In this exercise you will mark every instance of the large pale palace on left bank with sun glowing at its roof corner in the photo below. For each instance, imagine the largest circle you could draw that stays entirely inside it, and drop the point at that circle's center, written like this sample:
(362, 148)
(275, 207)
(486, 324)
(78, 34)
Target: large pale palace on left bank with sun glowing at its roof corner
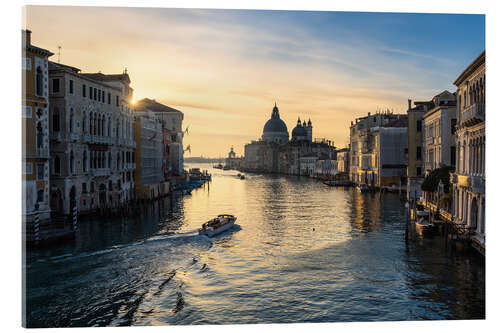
(91, 138)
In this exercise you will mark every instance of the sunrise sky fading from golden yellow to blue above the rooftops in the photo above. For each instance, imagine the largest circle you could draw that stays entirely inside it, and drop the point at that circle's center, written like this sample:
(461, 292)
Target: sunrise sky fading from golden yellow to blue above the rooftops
(225, 69)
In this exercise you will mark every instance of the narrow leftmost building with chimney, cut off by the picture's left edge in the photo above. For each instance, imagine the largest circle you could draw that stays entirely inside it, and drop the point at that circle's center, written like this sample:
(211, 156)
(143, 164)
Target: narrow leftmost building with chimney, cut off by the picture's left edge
(35, 130)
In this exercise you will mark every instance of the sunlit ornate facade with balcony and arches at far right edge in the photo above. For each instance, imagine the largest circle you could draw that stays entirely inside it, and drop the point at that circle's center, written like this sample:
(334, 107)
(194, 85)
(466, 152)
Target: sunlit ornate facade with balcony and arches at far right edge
(470, 174)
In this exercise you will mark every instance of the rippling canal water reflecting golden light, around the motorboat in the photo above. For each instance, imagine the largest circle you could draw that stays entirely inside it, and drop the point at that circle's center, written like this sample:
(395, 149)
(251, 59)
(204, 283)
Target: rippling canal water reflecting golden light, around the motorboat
(301, 252)
